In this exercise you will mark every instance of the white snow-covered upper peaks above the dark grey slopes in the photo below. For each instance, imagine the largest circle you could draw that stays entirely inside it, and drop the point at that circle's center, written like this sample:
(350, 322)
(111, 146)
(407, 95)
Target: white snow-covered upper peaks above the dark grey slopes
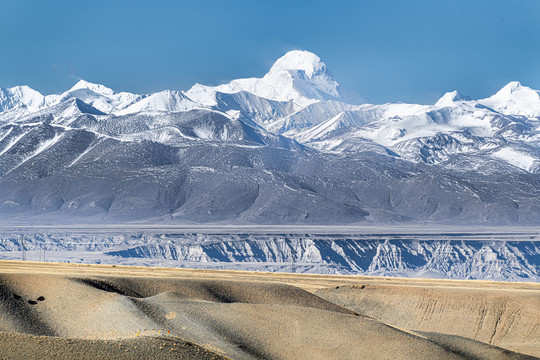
(300, 99)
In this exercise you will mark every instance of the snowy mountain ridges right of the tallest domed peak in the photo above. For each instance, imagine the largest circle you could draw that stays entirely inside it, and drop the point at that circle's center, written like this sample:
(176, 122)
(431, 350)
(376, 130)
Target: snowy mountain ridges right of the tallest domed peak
(454, 125)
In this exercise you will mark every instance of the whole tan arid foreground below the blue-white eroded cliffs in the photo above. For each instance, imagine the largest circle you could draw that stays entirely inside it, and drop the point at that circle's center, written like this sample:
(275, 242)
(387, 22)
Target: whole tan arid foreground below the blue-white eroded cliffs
(65, 311)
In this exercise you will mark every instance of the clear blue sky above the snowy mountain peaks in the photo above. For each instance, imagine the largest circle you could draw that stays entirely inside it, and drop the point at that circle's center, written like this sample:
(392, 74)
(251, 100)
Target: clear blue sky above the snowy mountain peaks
(398, 50)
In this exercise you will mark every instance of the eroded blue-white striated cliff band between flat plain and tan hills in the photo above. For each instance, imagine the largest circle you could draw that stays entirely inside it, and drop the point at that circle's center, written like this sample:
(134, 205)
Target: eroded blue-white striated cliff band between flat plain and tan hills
(509, 257)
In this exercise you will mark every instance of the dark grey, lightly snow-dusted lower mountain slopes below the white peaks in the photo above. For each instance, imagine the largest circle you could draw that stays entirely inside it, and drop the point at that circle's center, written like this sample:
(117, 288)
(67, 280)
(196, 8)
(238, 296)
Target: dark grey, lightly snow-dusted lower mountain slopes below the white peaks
(225, 170)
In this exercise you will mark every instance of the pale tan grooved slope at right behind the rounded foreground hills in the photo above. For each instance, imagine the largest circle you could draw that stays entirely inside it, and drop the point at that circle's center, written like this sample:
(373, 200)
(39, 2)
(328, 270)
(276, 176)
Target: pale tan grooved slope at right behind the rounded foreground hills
(487, 315)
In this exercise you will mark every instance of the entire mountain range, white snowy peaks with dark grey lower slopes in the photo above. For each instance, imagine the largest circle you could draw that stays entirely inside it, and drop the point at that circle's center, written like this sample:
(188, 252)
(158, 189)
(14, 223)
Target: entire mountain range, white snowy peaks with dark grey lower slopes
(290, 147)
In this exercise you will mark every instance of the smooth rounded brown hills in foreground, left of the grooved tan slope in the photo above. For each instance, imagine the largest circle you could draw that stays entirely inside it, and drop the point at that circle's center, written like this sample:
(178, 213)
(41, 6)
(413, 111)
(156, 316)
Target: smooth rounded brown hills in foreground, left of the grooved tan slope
(238, 319)
